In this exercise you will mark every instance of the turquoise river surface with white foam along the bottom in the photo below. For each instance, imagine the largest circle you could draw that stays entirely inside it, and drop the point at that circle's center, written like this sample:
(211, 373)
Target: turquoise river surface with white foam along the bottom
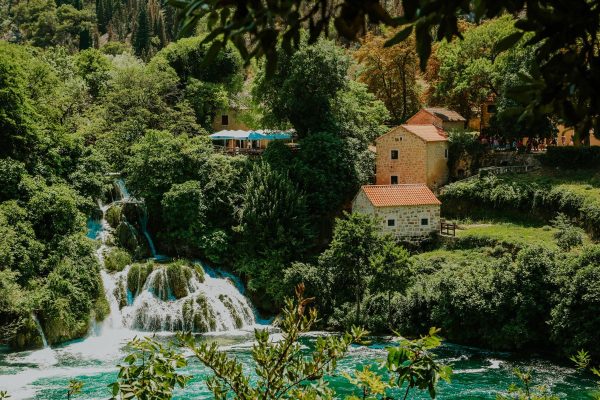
(478, 374)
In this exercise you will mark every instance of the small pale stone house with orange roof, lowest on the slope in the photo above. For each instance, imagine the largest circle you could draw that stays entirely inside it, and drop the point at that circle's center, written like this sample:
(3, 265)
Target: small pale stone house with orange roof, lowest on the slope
(409, 212)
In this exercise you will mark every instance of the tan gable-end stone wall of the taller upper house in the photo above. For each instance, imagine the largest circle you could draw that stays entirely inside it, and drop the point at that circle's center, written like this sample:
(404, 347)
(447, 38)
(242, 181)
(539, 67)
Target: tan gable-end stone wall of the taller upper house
(411, 165)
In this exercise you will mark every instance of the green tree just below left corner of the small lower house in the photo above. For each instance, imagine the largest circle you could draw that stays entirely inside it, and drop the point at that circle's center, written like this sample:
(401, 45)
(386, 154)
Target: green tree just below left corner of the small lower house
(348, 257)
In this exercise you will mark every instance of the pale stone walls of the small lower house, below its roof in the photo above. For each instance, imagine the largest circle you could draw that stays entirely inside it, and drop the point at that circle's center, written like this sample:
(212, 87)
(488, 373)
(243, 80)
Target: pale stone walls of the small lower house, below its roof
(407, 219)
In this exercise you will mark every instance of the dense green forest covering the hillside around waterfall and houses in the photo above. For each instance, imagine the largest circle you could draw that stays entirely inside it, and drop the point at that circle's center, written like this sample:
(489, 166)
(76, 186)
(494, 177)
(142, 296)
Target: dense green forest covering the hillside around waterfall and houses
(90, 91)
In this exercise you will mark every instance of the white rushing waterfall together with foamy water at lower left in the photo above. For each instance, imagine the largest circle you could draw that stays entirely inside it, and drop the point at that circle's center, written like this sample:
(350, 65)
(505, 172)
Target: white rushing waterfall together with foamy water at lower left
(212, 301)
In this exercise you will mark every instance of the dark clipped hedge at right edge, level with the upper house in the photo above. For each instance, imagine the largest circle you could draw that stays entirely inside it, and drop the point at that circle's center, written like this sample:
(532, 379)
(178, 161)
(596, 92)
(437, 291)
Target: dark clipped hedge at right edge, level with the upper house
(572, 157)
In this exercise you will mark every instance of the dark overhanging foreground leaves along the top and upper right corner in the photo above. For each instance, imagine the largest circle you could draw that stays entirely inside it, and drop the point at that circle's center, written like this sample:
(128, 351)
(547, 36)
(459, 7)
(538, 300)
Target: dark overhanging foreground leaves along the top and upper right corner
(567, 31)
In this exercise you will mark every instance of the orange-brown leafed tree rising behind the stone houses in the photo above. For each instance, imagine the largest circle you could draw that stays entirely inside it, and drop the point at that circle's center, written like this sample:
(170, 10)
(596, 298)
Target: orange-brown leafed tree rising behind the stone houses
(391, 73)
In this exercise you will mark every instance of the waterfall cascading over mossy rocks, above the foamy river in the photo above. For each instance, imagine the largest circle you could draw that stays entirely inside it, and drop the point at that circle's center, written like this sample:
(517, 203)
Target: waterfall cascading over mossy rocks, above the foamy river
(168, 297)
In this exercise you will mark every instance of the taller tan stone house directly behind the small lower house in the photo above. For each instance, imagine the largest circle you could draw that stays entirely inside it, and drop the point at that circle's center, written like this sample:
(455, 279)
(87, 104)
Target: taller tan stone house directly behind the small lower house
(412, 154)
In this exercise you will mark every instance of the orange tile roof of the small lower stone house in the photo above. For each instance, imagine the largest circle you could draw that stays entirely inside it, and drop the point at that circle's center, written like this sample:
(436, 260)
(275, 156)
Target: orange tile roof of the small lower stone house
(400, 195)
